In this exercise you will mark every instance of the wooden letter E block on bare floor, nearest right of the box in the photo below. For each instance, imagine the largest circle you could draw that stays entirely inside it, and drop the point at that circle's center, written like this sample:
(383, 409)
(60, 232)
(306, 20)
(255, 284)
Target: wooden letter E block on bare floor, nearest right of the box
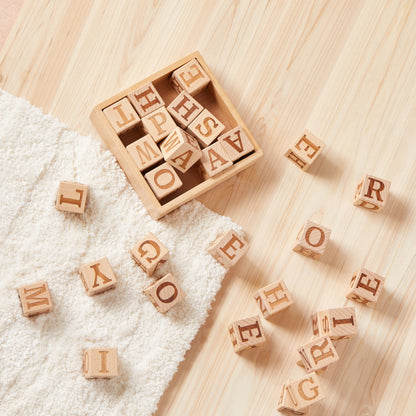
(305, 151)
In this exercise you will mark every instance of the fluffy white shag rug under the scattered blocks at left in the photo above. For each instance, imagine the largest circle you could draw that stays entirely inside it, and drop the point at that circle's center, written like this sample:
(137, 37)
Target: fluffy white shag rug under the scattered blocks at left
(41, 357)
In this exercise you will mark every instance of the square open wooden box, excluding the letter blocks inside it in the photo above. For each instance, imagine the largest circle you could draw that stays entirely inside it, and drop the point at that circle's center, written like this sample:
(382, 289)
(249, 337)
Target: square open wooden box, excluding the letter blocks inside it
(212, 98)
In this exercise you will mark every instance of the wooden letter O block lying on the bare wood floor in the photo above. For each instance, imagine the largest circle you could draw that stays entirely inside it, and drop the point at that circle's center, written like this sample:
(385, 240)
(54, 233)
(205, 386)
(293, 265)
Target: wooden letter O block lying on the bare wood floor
(312, 240)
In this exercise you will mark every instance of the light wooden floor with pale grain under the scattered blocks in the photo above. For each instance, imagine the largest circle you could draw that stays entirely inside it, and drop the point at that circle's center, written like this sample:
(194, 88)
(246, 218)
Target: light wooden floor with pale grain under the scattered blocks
(345, 69)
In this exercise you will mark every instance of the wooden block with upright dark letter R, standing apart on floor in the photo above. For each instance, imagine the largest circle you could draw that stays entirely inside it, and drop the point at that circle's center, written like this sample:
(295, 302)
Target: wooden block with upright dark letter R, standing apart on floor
(372, 193)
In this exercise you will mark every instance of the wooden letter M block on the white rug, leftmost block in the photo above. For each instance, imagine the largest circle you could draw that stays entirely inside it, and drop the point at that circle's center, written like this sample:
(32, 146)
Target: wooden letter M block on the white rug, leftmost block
(35, 298)
